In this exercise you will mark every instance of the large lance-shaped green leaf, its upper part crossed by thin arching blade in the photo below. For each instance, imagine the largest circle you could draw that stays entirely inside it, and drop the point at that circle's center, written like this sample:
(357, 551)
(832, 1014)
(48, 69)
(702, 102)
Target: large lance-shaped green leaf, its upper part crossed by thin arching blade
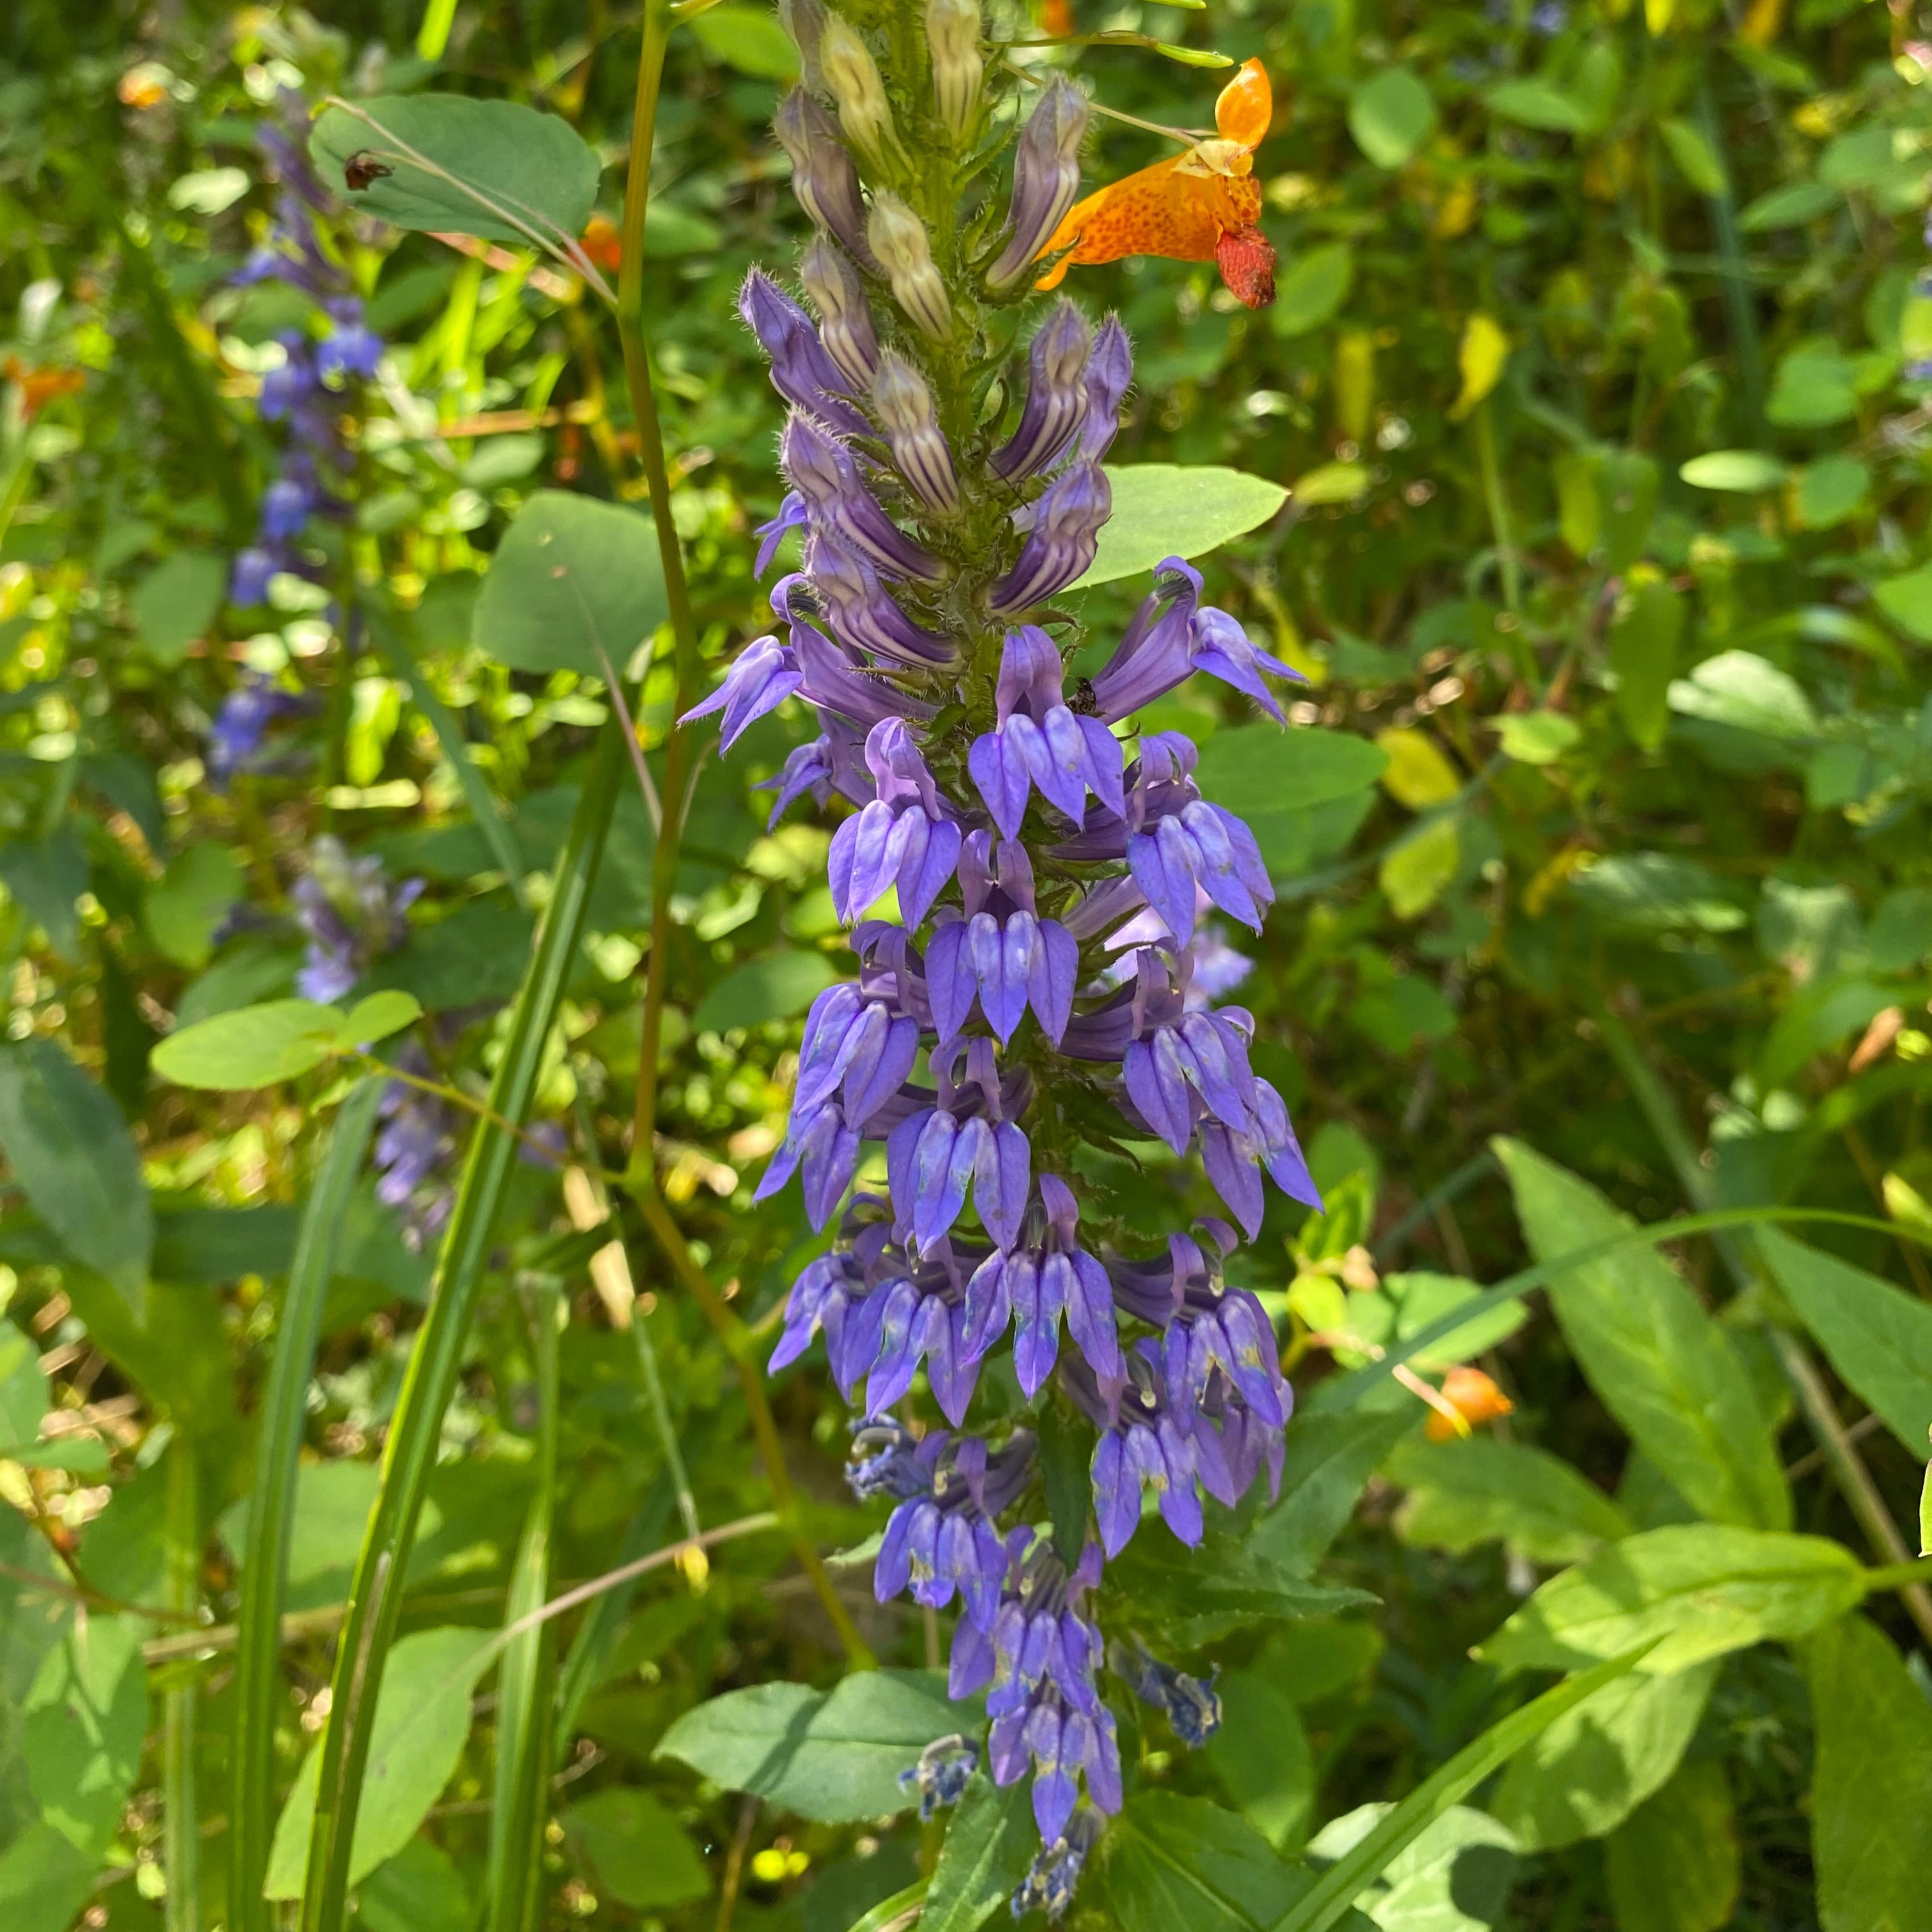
(1662, 1367)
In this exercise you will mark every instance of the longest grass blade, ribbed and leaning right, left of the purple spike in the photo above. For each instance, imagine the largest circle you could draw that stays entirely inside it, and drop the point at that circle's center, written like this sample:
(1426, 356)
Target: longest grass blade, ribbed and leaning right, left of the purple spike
(376, 1597)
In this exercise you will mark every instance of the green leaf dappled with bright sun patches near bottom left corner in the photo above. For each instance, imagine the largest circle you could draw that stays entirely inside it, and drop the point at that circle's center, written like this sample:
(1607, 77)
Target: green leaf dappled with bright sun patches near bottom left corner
(82, 1728)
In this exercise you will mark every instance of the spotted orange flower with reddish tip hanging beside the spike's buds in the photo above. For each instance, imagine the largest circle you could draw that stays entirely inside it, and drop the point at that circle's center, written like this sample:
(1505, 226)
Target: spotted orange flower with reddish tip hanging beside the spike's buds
(1203, 206)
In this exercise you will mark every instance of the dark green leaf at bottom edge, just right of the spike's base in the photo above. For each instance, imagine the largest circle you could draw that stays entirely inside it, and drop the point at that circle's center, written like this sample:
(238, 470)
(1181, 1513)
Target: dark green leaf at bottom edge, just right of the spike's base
(1170, 1861)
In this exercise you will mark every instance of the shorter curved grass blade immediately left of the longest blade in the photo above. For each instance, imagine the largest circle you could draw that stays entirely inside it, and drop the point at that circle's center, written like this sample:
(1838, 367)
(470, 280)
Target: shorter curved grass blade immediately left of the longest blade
(271, 1508)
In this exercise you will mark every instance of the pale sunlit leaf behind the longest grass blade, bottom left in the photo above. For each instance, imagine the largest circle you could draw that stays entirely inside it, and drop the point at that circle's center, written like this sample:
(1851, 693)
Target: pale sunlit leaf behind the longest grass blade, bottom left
(422, 1720)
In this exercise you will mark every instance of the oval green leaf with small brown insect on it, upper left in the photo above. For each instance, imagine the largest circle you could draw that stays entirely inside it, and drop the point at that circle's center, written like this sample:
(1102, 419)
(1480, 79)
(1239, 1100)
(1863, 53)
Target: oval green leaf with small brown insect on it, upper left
(461, 167)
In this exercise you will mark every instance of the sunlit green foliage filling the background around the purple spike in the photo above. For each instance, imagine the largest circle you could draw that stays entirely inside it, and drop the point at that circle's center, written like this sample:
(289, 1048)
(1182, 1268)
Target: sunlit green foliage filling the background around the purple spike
(1601, 845)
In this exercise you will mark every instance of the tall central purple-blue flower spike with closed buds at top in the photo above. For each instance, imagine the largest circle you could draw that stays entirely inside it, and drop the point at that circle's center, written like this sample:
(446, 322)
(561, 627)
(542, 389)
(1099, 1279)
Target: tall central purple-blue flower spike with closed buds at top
(1037, 986)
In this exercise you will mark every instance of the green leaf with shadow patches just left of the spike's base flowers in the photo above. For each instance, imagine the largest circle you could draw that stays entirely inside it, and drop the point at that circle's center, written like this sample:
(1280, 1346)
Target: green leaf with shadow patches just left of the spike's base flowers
(832, 1757)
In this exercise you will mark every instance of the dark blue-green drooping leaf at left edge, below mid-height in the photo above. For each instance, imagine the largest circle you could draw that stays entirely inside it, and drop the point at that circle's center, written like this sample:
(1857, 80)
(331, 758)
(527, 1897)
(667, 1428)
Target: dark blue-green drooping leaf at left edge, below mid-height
(76, 1162)
